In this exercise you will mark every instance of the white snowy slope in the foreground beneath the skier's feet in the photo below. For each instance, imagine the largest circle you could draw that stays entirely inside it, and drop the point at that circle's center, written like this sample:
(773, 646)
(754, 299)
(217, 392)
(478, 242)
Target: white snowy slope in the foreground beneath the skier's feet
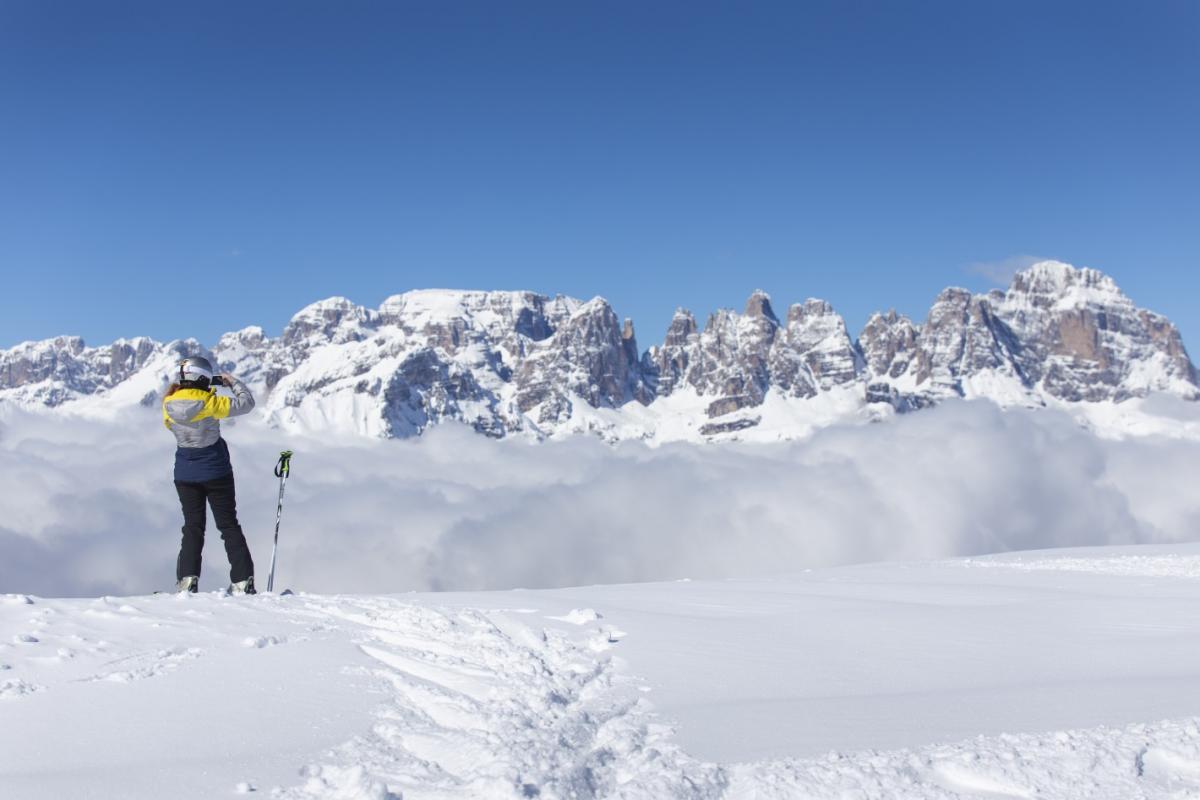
(1043, 675)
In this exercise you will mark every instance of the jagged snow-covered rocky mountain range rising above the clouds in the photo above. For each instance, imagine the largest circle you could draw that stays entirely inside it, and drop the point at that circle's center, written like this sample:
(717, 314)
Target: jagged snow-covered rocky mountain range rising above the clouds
(517, 362)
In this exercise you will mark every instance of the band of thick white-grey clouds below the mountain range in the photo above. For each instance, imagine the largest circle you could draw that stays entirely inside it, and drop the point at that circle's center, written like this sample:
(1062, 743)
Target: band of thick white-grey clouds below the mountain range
(89, 507)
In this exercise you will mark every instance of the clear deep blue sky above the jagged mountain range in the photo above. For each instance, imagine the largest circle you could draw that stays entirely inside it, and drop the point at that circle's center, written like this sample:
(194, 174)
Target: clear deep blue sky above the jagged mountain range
(182, 170)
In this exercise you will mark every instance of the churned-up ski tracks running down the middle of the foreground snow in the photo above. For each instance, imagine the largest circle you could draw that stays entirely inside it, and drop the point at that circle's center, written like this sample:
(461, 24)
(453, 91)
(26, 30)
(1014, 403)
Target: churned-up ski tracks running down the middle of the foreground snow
(483, 707)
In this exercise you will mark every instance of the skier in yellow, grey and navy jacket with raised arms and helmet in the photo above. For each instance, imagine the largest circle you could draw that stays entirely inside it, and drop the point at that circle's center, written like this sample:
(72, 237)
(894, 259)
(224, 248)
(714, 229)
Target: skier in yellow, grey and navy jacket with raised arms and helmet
(191, 411)
